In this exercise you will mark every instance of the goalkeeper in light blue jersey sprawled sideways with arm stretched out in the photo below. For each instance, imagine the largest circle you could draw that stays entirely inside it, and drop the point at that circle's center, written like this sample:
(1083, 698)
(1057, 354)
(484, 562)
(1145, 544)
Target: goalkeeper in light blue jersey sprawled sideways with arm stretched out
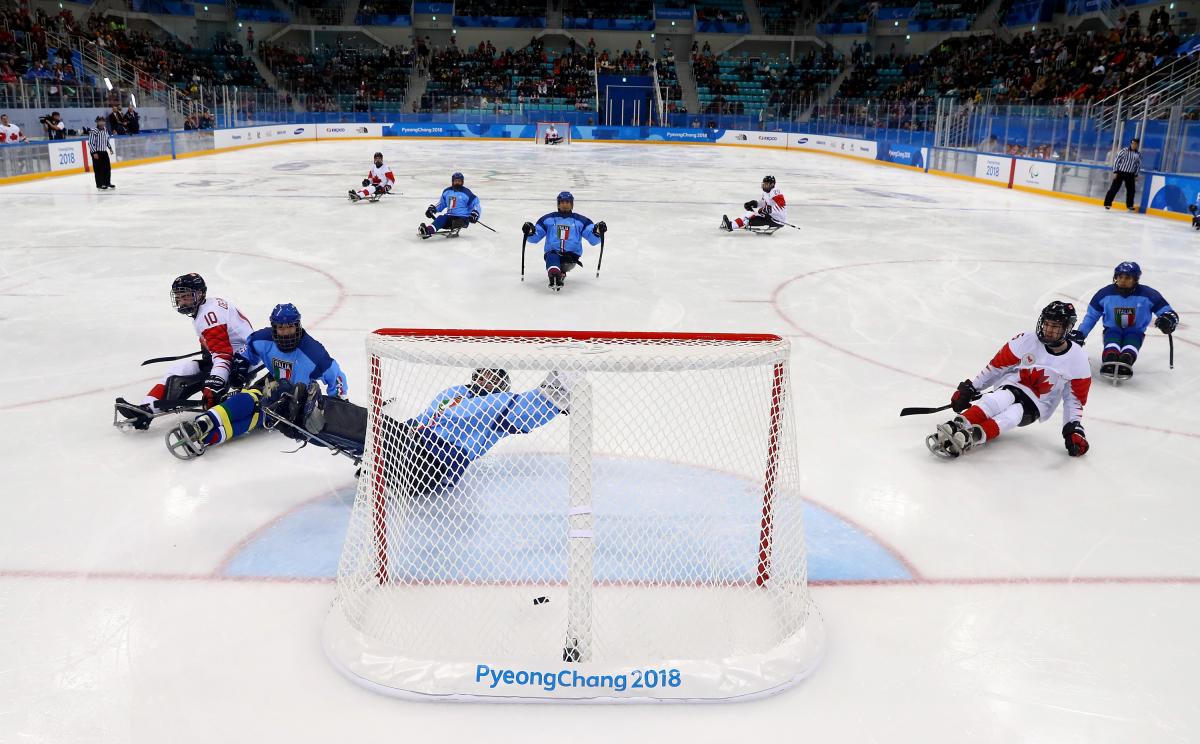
(433, 449)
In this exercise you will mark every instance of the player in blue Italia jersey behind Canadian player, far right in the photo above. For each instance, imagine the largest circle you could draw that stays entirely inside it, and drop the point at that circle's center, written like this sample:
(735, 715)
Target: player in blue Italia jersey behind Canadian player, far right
(1125, 307)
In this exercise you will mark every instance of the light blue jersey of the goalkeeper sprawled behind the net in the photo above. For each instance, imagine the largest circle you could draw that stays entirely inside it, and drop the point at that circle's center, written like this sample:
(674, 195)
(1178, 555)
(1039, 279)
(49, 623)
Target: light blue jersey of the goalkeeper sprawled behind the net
(476, 423)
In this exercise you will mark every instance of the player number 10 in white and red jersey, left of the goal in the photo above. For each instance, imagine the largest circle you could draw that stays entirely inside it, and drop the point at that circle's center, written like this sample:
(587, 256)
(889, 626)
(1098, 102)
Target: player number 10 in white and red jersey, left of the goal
(221, 328)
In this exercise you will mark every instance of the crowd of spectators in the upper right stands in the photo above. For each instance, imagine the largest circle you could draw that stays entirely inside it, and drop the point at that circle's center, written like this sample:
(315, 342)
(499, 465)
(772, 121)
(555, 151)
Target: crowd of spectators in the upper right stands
(1048, 67)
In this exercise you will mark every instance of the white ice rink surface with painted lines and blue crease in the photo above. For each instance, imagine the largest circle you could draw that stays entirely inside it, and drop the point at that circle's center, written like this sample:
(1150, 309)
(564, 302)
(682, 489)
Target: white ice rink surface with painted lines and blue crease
(1042, 598)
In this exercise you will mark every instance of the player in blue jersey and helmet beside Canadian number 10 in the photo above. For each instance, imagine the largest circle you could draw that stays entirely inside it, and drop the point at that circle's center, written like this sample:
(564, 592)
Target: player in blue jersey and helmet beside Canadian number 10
(290, 356)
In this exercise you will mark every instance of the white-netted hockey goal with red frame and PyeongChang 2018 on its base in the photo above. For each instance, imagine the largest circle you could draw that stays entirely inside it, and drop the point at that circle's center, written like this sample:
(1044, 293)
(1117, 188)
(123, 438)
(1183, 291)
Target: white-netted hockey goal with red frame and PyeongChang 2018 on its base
(615, 517)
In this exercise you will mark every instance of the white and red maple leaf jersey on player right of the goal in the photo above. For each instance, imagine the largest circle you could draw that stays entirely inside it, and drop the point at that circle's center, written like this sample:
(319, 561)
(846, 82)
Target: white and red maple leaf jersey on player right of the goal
(1048, 379)
